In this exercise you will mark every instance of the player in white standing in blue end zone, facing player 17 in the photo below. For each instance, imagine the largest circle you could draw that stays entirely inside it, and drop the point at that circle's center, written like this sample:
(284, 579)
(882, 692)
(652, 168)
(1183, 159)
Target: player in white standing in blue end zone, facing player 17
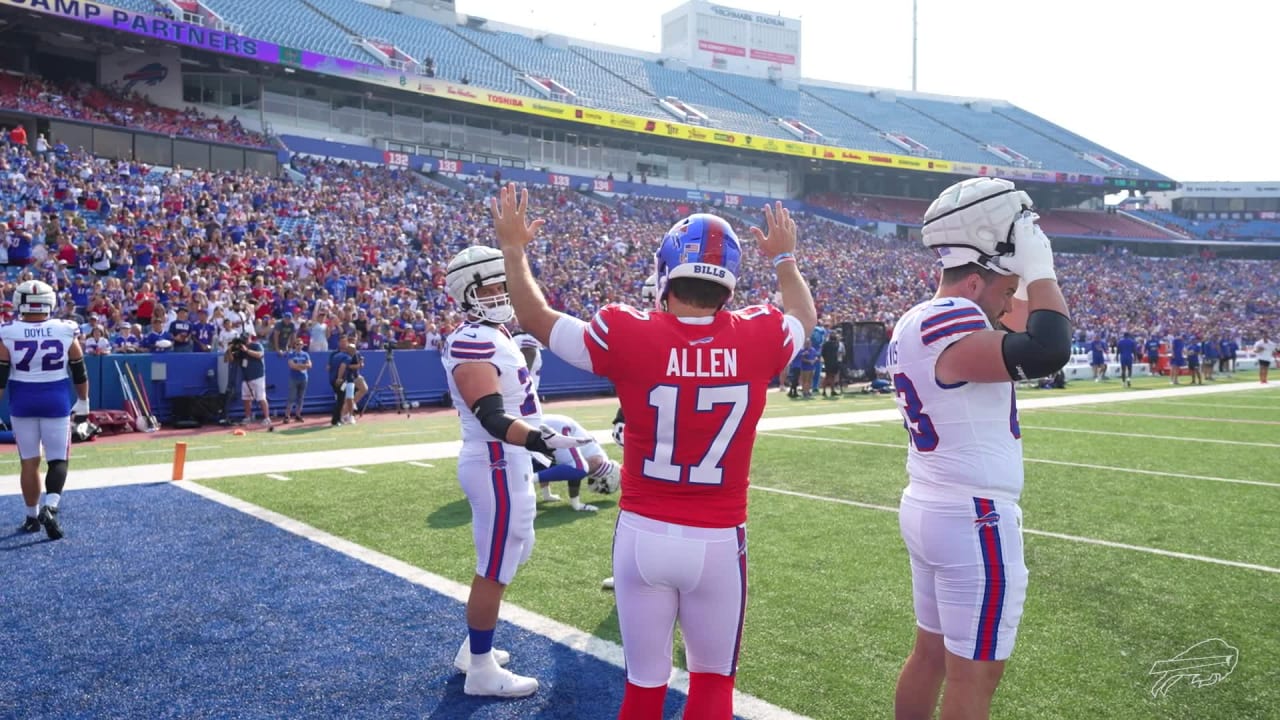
(501, 427)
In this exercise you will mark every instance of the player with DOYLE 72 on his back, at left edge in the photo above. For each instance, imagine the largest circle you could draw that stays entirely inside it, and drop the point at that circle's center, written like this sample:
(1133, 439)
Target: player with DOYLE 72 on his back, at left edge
(36, 356)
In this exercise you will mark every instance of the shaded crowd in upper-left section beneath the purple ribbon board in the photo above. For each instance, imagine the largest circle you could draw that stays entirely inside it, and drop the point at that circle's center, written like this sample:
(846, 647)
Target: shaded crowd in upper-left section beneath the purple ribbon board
(116, 107)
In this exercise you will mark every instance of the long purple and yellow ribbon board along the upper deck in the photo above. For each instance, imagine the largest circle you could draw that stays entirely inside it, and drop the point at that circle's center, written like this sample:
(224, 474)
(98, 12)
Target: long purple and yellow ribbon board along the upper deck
(231, 44)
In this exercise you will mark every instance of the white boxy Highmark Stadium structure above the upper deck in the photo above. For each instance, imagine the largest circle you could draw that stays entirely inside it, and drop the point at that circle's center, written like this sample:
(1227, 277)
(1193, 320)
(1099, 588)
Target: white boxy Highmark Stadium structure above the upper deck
(717, 38)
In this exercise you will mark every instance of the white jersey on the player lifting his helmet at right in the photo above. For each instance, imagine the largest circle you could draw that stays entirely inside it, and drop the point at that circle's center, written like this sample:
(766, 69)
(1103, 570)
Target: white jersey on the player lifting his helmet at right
(966, 441)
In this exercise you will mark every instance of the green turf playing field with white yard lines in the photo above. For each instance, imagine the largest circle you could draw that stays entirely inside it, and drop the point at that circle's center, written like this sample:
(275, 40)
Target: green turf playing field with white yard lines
(830, 617)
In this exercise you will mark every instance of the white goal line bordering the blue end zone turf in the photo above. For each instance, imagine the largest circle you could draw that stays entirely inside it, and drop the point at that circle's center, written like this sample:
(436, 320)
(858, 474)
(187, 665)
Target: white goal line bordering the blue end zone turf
(744, 705)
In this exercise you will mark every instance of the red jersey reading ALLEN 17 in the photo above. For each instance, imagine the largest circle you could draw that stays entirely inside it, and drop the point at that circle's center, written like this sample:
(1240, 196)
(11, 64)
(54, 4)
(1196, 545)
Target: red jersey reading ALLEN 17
(692, 395)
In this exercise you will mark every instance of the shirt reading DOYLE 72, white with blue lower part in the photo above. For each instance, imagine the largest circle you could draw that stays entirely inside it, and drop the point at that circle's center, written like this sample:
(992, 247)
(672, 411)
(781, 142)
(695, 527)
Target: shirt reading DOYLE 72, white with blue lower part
(39, 384)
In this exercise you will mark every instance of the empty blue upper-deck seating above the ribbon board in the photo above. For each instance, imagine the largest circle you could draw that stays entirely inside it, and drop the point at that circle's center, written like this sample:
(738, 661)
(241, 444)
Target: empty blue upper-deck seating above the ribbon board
(630, 84)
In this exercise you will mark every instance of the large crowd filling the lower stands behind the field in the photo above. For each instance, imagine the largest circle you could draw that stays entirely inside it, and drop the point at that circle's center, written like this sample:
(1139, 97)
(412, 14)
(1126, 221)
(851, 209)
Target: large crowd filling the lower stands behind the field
(196, 258)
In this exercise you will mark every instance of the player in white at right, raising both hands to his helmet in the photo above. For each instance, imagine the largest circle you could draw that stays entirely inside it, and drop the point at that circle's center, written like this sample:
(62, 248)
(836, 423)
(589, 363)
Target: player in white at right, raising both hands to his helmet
(953, 366)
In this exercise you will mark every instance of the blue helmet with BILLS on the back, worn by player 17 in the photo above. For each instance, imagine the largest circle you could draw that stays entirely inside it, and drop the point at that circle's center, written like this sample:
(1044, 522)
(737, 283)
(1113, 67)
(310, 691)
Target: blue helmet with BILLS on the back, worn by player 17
(701, 247)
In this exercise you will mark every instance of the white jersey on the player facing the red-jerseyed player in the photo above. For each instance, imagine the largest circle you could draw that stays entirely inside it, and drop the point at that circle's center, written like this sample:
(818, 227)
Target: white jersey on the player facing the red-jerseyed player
(477, 343)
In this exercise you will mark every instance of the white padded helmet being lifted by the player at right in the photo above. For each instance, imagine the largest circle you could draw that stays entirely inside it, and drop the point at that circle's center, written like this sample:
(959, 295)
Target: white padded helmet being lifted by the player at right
(973, 222)
